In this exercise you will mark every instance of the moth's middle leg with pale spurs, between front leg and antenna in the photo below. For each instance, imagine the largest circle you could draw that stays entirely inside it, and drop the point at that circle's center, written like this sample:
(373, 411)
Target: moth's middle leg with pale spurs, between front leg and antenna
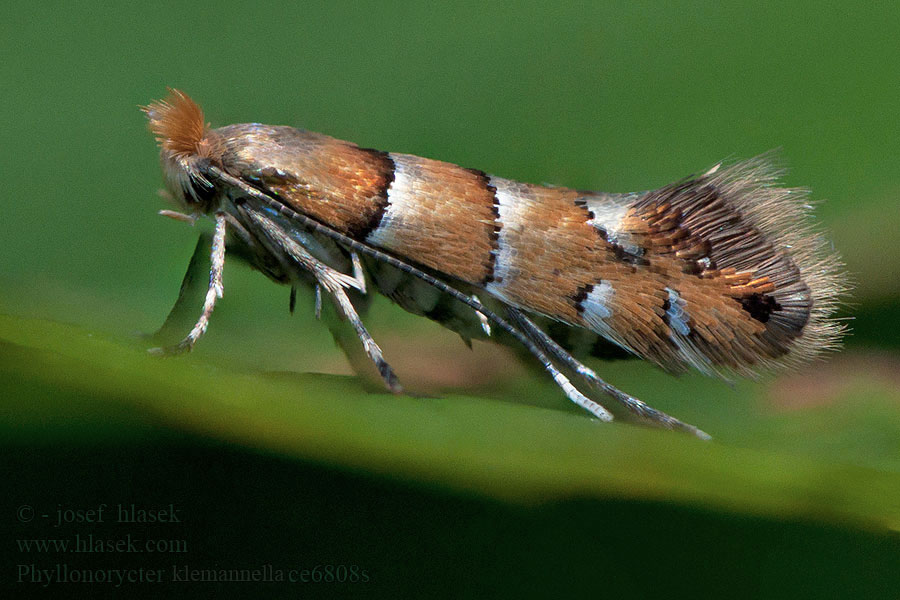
(333, 282)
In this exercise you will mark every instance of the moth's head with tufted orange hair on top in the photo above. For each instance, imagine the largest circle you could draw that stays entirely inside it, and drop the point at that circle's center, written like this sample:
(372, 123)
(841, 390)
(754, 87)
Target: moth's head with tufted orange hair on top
(187, 149)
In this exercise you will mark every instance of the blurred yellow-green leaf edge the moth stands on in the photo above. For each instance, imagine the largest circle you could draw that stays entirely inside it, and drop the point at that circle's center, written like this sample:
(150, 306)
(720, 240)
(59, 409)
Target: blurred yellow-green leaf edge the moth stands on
(779, 465)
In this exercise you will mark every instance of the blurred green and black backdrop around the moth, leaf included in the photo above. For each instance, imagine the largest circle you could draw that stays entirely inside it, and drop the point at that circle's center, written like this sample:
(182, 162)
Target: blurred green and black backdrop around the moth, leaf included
(487, 482)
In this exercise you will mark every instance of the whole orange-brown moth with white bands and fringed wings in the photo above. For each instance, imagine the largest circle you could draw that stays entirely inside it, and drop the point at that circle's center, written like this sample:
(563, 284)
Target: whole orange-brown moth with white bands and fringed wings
(721, 272)
